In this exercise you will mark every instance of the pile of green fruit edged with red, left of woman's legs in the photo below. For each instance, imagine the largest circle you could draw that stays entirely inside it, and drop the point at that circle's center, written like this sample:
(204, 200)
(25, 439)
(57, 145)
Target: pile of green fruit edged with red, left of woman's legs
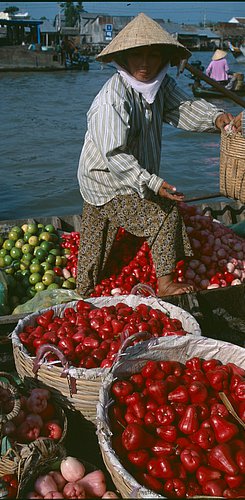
(34, 258)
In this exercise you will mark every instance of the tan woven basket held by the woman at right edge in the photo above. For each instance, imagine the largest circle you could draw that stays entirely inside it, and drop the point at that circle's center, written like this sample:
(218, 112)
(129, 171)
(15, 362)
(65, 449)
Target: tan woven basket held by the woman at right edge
(232, 165)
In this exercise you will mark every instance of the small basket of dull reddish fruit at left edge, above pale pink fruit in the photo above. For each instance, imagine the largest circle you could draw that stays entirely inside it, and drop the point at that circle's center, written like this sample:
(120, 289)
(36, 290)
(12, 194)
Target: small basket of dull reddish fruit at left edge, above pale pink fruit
(28, 420)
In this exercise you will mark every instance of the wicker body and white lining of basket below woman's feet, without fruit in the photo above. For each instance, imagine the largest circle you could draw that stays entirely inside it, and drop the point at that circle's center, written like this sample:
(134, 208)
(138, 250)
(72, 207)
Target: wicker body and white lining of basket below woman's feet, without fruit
(78, 388)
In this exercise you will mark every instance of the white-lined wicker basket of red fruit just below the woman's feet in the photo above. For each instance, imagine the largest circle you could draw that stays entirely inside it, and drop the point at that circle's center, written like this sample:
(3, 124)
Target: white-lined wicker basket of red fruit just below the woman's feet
(69, 348)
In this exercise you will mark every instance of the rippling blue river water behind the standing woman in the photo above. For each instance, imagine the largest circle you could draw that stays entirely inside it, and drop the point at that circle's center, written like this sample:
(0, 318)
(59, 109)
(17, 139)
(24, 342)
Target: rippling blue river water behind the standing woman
(42, 126)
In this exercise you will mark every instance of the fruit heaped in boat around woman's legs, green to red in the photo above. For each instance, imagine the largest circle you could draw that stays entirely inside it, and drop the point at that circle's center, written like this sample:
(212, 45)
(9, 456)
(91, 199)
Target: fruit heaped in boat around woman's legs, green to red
(35, 258)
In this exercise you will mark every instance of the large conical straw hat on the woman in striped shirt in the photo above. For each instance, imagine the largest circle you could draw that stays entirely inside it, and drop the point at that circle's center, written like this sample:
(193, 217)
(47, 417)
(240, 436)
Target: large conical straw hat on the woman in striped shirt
(142, 31)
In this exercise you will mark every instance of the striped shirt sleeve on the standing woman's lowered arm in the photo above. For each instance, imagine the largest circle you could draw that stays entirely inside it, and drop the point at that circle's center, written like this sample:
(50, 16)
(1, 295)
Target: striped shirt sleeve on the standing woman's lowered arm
(110, 129)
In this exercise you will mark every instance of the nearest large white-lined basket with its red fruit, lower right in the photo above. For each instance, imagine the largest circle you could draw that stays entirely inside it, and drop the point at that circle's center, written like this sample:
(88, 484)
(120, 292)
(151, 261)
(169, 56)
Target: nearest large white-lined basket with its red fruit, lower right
(171, 419)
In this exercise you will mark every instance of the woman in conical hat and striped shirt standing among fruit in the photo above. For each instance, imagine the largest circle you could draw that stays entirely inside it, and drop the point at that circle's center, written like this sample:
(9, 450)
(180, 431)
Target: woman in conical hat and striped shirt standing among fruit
(118, 169)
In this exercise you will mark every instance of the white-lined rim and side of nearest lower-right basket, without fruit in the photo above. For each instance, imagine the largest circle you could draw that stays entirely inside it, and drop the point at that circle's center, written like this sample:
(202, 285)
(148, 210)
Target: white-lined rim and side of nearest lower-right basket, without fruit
(167, 348)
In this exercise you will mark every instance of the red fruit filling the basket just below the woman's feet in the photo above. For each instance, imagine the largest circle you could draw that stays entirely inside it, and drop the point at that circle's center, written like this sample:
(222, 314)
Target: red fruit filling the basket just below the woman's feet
(89, 336)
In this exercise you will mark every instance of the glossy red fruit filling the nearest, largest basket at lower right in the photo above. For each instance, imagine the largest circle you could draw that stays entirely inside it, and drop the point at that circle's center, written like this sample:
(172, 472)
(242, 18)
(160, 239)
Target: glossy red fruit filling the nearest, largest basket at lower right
(173, 431)
